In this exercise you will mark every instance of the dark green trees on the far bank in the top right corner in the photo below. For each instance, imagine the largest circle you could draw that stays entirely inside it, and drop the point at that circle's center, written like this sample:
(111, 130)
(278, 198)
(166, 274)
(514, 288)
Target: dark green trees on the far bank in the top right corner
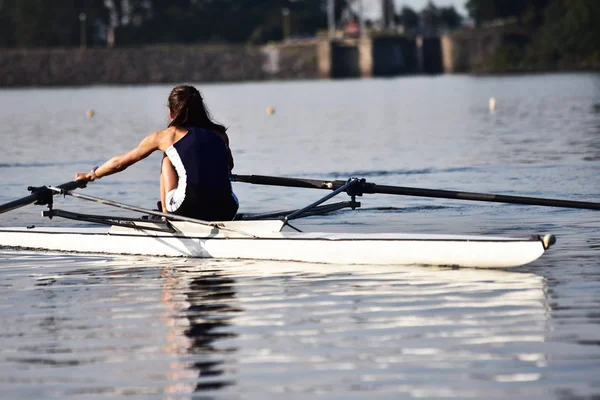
(560, 33)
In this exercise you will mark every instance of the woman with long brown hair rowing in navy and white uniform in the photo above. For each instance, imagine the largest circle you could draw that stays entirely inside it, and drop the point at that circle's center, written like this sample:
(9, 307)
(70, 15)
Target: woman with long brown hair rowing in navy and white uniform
(194, 179)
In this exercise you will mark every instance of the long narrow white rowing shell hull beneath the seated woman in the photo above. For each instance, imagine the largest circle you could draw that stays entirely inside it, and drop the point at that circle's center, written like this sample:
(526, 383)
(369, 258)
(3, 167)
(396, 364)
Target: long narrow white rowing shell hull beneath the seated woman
(263, 240)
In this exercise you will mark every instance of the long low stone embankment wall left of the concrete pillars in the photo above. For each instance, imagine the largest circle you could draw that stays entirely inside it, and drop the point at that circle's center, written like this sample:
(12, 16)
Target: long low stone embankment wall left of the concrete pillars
(74, 67)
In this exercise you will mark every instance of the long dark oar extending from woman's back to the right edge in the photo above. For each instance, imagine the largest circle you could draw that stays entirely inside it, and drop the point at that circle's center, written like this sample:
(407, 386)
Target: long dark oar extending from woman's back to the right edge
(366, 187)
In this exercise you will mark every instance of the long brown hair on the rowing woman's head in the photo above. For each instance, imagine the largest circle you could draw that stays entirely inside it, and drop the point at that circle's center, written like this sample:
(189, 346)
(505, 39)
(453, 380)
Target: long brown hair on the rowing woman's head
(188, 109)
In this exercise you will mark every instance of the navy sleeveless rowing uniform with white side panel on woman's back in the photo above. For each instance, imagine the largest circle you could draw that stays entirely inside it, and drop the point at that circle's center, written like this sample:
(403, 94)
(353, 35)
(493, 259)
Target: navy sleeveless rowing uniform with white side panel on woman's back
(201, 160)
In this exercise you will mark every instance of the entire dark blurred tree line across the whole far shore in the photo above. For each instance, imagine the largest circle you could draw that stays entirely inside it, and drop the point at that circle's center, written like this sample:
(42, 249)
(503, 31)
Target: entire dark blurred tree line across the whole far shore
(559, 31)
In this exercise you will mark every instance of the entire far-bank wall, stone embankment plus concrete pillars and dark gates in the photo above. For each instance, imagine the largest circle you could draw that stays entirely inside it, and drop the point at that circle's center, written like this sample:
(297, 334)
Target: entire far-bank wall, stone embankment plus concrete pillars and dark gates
(381, 56)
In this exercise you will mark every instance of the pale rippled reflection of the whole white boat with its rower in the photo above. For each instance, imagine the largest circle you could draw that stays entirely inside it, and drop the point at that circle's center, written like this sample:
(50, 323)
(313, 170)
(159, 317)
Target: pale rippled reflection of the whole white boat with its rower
(170, 327)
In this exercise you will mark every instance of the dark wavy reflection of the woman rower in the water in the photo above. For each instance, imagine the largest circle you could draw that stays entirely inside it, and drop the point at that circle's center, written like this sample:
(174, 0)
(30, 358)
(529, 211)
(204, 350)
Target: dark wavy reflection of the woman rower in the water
(201, 305)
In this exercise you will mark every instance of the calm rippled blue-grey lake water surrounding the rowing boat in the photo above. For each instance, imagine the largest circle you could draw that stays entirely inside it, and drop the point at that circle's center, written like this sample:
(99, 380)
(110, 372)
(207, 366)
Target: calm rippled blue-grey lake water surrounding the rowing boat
(96, 327)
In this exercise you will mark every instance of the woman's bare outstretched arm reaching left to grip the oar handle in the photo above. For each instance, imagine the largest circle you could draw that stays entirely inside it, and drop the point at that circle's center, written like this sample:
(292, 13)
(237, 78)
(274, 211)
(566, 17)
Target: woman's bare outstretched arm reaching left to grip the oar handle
(118, 163)
